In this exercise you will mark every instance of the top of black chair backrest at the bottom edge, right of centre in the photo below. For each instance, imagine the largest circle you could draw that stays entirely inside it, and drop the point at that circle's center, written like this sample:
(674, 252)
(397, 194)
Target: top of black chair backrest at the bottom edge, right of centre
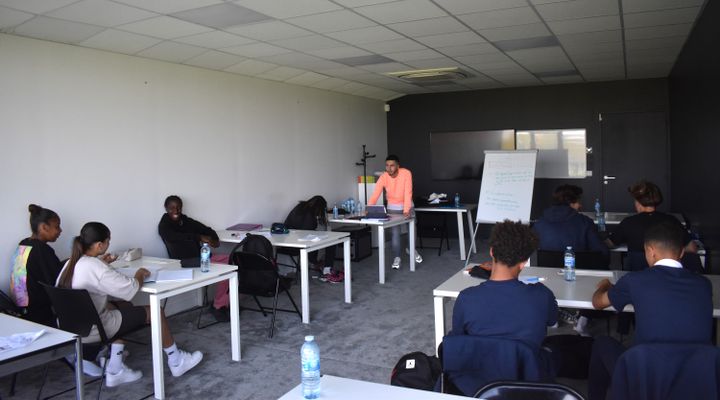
(512, 390)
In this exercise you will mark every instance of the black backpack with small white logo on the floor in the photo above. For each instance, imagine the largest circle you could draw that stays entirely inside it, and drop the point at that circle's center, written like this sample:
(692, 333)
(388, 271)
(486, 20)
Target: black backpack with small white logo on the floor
(416, 370)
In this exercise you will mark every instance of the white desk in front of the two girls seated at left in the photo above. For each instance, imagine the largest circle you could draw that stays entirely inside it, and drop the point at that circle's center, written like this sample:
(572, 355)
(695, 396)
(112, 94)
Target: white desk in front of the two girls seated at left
(159, 291)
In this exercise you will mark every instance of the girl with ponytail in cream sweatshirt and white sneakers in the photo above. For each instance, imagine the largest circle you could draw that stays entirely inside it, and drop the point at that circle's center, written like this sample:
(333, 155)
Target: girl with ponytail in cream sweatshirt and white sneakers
(84, 270)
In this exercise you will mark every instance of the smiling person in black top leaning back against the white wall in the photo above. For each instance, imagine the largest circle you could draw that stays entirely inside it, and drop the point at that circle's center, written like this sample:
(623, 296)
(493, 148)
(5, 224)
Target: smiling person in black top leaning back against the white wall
(183, 237)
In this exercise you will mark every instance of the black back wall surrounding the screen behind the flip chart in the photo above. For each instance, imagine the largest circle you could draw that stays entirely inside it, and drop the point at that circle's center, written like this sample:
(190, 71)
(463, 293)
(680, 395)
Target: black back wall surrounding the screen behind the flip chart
(411, 118)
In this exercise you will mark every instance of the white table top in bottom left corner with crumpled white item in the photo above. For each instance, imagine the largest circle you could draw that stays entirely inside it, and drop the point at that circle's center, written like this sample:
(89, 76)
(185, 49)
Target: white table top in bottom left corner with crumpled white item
(10, 325)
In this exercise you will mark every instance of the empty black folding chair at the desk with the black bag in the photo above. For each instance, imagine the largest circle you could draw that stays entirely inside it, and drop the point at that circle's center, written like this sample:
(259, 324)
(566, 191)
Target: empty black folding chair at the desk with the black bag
(258, 277)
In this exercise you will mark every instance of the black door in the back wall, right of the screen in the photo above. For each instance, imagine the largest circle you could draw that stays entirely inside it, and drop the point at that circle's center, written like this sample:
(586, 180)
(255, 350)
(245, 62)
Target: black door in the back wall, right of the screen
(634, 147)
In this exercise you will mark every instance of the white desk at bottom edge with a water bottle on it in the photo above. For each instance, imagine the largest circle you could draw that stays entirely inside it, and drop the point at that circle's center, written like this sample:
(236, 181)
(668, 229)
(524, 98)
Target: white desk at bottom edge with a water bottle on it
(336, 388)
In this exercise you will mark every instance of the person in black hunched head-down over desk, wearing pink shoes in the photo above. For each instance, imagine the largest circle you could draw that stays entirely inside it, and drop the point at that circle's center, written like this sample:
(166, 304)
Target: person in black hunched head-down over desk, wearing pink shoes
(307, 215)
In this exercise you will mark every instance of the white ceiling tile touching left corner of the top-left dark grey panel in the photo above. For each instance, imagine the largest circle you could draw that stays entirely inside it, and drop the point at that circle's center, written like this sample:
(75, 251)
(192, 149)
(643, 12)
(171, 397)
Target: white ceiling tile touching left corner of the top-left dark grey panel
(101, 12)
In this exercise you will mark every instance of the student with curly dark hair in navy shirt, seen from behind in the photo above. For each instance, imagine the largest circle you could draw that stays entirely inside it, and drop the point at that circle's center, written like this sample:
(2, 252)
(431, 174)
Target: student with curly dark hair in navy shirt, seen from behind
(502, 306)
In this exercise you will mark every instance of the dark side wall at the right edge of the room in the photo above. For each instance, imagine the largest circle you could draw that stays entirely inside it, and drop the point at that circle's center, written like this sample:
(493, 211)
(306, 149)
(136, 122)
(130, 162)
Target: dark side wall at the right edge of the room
(694, 88)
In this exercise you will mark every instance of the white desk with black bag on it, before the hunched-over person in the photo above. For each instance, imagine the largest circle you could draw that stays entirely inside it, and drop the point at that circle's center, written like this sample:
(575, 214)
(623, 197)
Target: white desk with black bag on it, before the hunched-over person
(292, 240)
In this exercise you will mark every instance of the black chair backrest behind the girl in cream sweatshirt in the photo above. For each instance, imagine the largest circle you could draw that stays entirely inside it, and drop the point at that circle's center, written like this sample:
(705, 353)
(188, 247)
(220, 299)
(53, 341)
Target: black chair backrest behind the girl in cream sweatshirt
(75, 311)
